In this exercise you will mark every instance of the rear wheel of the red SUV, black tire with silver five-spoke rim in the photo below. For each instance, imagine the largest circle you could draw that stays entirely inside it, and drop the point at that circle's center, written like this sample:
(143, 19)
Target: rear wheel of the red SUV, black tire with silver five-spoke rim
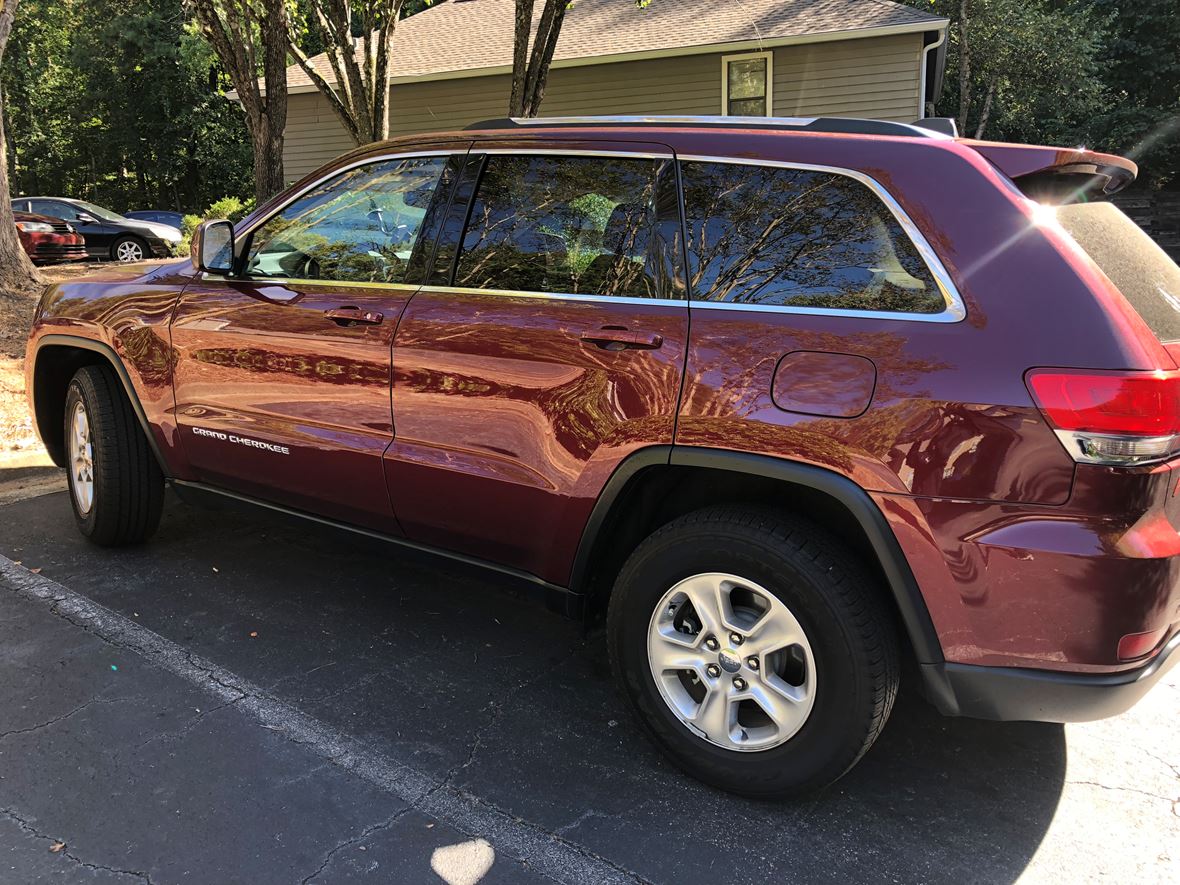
(845, 660)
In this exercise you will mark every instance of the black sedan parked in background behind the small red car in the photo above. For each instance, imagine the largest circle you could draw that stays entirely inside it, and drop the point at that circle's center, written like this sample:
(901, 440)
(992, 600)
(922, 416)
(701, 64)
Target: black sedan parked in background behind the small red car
(109, 235)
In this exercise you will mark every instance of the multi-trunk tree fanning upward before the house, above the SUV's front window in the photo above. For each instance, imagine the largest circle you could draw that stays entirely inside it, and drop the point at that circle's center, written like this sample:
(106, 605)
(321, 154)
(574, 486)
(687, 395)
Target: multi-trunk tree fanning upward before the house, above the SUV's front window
(359, 93)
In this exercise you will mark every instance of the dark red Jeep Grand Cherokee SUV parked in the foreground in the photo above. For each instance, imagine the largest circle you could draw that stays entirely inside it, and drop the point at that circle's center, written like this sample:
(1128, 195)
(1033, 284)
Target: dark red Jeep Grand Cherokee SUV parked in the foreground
(790, 402)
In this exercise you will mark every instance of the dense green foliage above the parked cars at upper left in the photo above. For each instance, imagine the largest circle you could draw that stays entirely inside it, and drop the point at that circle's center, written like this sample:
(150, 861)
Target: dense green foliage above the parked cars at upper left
(121, 103)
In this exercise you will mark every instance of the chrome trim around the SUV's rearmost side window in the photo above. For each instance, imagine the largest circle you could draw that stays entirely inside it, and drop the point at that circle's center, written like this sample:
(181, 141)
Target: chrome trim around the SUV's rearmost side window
(955, 310)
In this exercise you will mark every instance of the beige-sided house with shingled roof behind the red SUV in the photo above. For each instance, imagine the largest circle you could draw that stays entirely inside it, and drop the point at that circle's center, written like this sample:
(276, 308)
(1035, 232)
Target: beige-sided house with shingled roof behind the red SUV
(451, 65)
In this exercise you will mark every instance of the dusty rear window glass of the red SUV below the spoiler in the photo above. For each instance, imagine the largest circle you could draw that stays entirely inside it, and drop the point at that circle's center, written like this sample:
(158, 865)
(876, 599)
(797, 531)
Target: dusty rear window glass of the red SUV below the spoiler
(1144, 273)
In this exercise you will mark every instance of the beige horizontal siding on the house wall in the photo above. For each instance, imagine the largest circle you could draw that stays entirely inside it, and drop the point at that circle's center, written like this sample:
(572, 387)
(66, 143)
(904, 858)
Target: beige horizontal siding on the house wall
(876, 77)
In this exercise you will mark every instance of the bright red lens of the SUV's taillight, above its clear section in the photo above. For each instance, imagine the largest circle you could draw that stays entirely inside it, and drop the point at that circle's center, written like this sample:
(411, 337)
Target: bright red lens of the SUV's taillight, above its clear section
(1138, 404)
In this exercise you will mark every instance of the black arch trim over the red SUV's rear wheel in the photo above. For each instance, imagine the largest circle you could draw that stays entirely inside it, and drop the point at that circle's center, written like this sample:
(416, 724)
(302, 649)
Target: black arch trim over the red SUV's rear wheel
(904, 588)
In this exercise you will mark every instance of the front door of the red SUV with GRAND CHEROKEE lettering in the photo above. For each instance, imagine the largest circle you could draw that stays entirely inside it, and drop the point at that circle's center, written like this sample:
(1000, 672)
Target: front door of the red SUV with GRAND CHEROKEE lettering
(283, 377)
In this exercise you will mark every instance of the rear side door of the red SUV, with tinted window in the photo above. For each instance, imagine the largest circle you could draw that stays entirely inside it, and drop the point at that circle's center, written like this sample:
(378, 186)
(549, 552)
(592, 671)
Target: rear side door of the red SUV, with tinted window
(548, 348)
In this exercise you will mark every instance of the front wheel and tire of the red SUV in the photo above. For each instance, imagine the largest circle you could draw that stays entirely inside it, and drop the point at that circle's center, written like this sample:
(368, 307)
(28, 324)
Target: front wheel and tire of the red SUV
(116, 486)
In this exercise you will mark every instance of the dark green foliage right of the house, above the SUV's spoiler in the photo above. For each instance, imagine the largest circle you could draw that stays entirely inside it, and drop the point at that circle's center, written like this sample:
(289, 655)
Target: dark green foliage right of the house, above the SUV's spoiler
(1105, 74)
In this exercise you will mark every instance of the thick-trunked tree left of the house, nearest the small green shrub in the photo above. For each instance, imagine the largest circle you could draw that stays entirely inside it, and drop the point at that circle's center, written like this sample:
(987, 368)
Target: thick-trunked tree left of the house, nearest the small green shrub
(239, 31)
